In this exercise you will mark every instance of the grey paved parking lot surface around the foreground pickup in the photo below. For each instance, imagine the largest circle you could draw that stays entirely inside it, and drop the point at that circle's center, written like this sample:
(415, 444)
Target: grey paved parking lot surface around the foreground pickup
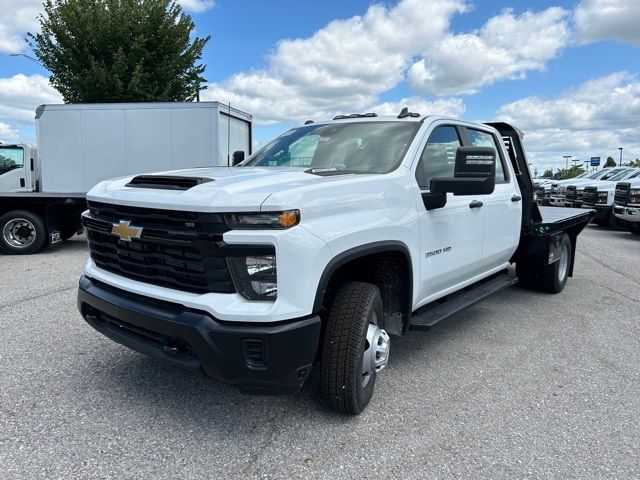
(523, 385)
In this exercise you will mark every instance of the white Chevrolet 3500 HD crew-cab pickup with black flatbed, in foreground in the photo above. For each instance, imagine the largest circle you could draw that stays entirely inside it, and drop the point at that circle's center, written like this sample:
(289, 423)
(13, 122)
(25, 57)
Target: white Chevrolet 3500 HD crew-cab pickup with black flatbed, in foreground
(322, 245)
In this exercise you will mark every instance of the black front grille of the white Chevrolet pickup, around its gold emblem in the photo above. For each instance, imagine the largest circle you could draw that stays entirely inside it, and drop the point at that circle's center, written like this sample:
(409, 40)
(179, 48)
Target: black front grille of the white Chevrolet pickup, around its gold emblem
(179, 250)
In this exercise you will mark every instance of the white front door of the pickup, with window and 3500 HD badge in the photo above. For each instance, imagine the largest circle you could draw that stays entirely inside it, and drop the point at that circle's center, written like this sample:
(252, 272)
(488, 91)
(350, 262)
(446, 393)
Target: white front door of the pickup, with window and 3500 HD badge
(451, 237)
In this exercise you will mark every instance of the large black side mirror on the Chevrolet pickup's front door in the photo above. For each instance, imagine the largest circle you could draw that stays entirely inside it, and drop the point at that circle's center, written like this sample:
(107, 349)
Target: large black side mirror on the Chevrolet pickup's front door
(474, 173)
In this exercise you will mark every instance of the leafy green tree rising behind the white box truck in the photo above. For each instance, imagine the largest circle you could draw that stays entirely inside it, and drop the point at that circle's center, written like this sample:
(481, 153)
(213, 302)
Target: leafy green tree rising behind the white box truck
(119, 50)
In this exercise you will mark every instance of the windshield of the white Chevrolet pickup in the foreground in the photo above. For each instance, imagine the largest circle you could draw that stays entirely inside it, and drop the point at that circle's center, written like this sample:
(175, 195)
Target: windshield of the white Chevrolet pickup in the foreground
(356, 147)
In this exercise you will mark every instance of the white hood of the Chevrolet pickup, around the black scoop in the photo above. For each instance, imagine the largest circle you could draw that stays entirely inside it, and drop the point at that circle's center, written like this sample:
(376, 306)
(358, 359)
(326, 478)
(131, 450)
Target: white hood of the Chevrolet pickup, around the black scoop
(228, 189)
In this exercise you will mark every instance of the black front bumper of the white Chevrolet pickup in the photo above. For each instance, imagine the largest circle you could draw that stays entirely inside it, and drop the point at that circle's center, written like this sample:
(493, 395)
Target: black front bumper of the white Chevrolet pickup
(273, 358)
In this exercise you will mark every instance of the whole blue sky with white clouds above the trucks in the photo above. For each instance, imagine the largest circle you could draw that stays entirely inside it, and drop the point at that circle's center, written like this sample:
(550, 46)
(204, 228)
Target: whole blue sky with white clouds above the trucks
(566, 72)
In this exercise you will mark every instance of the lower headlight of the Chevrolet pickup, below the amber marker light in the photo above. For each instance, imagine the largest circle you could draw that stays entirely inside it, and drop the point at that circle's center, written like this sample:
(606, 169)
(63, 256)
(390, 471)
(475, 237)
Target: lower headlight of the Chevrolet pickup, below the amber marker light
(255, 276)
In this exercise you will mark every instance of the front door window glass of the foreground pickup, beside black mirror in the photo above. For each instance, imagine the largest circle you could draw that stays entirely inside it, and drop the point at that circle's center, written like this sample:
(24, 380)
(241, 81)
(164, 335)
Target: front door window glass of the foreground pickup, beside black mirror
(439, 156)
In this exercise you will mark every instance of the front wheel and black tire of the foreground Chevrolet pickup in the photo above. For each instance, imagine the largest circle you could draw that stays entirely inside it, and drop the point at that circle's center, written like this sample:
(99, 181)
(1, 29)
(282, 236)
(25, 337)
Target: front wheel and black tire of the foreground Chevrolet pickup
(355, 348)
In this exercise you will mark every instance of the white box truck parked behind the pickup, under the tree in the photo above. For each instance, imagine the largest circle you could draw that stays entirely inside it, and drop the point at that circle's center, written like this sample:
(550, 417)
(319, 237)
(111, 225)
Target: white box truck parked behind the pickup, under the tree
(42, 189)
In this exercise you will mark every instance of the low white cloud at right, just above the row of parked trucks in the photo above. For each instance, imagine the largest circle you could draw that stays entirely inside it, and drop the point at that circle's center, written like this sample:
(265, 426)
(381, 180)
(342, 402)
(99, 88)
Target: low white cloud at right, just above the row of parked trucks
(593, 119)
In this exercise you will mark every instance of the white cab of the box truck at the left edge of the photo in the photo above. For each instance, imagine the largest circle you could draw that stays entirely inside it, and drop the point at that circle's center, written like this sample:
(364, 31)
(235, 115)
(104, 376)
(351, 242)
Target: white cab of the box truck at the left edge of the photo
(18, 167)
